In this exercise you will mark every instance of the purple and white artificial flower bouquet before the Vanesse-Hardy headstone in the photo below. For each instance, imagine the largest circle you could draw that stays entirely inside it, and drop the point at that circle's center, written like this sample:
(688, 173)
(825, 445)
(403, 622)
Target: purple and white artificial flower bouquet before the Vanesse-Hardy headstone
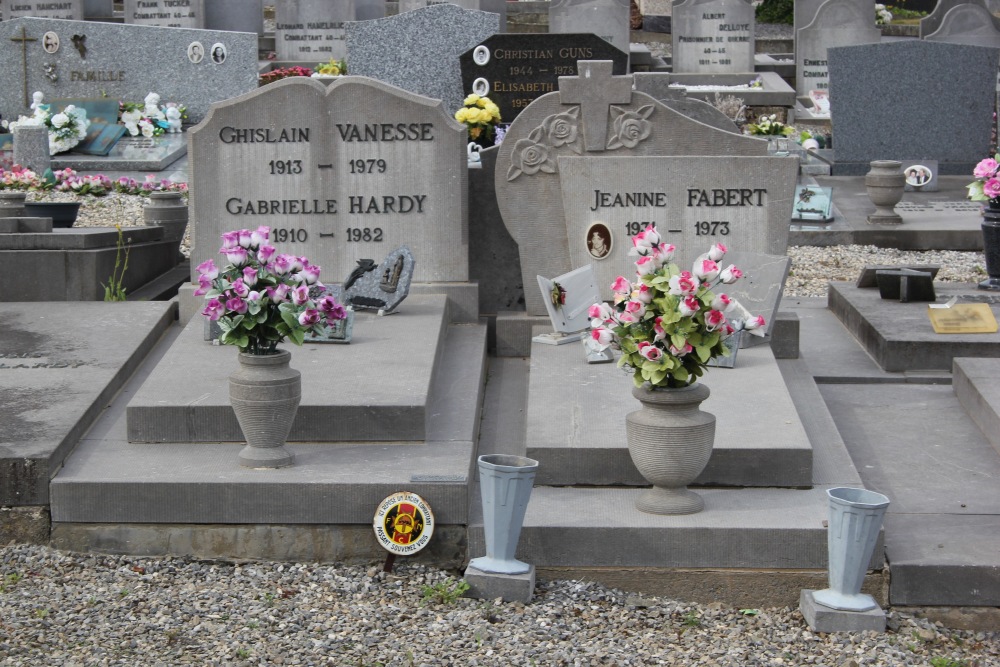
(262, 297)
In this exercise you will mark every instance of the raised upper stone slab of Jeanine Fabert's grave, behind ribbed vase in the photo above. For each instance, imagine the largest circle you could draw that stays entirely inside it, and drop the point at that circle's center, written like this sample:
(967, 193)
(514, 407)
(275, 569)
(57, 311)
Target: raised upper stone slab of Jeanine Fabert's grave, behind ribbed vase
(579, 436)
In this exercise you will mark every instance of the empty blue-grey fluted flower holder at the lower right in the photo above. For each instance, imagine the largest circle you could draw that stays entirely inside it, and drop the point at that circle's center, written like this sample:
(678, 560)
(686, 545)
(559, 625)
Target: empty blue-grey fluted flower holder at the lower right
(854, 525)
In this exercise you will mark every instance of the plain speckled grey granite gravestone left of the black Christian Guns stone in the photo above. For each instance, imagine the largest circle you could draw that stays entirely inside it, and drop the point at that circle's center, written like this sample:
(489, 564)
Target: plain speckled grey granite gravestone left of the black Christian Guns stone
(418, 51)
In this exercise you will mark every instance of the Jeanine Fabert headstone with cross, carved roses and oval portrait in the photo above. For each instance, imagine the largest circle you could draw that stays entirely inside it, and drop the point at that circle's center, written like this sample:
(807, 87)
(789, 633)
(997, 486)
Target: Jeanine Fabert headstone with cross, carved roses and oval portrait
(564, 190)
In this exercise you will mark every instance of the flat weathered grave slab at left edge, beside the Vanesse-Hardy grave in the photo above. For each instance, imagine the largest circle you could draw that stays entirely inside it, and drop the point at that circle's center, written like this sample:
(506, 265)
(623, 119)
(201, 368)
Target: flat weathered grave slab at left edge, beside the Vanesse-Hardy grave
(56, 380)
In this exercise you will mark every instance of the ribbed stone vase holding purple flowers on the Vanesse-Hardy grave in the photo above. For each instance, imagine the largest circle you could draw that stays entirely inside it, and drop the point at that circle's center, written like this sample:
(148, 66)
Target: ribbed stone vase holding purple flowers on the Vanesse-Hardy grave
(265, 395)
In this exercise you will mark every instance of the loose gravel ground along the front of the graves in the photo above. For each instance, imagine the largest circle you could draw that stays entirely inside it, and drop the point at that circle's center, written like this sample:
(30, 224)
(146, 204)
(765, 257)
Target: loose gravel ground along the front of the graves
(66, 609)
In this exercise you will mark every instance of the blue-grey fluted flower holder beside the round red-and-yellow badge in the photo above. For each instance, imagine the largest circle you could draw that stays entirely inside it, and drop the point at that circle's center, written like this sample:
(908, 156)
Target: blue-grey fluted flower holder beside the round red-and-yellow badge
(505, 482)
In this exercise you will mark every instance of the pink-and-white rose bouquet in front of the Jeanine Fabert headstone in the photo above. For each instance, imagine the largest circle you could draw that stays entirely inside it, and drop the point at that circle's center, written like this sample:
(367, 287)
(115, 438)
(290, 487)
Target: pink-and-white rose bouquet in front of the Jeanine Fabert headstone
(669, 324)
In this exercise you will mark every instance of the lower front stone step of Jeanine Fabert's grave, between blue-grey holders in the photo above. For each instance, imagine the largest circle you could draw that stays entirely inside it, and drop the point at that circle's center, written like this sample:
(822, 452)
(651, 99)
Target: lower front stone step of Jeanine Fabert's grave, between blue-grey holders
(739, 528)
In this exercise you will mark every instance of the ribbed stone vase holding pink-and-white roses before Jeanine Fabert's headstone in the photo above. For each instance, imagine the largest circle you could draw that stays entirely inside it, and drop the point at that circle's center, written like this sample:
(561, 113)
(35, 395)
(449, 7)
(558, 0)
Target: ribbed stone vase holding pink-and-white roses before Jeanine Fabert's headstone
(670, 440)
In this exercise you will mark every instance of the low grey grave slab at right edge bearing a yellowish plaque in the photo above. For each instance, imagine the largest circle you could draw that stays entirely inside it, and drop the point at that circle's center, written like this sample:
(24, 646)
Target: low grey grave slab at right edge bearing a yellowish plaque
(899, 336)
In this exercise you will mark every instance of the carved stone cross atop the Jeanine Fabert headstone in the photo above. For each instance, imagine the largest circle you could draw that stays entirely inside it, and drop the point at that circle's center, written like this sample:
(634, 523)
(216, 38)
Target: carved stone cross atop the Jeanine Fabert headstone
(595, 89)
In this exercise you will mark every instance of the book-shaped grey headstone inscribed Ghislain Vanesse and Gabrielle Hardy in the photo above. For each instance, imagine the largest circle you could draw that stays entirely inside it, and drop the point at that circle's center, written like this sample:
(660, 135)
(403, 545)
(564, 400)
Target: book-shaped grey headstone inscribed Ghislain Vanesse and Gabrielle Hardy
(340, 174)
